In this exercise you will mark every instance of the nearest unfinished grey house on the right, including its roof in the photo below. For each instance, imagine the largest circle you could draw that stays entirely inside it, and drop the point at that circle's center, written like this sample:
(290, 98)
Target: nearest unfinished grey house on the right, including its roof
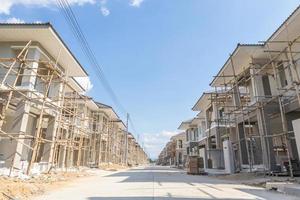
(263, 82)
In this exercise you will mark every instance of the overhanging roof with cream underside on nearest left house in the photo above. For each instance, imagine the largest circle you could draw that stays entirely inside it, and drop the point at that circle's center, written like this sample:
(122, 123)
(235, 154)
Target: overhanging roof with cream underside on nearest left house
(47, 36)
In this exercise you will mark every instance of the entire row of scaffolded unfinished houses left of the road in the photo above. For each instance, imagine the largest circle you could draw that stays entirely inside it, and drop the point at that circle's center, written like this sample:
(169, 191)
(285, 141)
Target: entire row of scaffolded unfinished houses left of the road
(45, 120)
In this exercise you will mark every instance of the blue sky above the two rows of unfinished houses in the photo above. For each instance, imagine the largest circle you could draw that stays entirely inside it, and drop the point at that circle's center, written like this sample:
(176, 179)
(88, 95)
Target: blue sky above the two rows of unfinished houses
(158, 55)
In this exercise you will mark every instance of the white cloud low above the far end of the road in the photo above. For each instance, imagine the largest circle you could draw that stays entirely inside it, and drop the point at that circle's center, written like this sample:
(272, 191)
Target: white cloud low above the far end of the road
(155, 142)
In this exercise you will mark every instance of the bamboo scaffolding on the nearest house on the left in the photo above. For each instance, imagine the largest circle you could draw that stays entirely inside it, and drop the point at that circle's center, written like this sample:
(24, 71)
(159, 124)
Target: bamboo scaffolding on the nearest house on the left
(28, 88)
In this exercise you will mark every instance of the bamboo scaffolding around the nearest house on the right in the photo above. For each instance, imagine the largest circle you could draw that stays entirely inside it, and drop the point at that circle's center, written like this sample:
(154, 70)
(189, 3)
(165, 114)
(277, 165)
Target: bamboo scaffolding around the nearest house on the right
(250, 111)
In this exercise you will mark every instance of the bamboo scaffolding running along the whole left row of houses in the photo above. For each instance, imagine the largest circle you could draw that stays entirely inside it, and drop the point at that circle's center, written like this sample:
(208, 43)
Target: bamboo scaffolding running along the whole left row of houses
(45, 122)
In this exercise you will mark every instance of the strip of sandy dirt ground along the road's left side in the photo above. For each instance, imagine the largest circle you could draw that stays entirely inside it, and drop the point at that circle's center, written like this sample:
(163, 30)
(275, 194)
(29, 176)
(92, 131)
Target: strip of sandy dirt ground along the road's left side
(13, 188)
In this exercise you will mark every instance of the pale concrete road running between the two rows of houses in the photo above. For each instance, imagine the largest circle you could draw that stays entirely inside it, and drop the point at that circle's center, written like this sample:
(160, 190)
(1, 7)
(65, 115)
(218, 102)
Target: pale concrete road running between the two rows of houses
(158, 183)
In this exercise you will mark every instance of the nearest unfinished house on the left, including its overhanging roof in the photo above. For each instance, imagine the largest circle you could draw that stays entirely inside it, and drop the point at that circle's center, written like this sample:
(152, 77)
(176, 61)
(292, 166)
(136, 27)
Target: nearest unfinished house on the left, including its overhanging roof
(32, 82)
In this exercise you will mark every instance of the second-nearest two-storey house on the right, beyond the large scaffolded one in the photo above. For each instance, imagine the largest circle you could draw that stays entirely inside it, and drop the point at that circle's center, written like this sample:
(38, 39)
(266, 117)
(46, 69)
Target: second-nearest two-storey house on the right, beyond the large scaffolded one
(214, 127)
